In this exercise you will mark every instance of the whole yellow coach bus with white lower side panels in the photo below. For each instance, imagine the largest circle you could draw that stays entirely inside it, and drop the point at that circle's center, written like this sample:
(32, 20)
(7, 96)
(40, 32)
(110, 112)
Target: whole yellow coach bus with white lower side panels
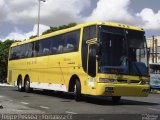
(96, 58)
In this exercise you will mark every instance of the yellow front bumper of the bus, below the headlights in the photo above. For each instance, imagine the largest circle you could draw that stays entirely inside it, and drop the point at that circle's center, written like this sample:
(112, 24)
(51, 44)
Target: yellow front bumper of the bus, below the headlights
(110, 89)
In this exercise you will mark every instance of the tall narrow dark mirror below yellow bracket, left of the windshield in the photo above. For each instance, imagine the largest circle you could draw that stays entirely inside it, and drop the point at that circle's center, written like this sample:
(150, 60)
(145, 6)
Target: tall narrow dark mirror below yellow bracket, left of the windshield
(92, 61)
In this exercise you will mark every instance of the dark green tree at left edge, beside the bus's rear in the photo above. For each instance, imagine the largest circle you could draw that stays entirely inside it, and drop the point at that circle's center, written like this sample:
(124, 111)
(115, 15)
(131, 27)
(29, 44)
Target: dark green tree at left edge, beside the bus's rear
(4, 51)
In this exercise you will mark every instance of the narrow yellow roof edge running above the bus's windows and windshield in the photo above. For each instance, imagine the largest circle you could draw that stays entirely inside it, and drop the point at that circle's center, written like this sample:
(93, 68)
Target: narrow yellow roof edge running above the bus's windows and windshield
(77, 27)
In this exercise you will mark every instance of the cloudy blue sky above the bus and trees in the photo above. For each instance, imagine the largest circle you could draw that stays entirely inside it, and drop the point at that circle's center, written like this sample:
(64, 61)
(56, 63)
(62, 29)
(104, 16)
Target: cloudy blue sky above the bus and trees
(18, 18)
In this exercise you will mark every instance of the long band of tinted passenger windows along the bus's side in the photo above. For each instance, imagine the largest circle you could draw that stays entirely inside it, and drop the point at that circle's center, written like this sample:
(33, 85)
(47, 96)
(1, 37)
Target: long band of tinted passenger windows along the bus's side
(67, 42)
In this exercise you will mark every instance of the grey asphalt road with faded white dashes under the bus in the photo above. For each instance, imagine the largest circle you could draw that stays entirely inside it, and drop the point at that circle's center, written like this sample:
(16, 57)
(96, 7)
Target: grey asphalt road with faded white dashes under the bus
(93, 108)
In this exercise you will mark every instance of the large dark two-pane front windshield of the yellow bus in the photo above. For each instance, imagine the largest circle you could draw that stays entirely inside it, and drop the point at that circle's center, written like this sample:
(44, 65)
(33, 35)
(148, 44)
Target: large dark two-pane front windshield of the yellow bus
(123, 51)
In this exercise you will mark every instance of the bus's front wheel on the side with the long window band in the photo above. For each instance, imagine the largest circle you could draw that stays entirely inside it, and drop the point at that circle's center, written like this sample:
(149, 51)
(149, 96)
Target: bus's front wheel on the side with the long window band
(77, 91)
